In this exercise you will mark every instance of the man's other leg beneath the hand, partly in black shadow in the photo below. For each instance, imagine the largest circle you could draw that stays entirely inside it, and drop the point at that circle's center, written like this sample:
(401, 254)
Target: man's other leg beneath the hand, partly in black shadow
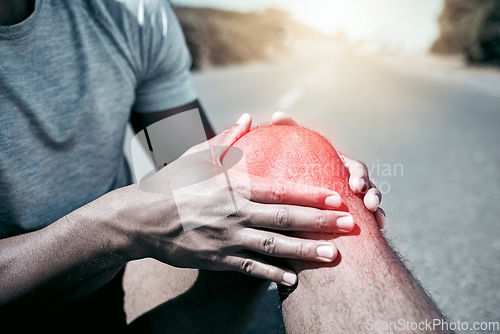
(160, 298)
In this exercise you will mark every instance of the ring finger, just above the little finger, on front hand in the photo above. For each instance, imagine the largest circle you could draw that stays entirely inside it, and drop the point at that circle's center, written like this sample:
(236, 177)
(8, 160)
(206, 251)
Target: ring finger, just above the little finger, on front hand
(277, 245)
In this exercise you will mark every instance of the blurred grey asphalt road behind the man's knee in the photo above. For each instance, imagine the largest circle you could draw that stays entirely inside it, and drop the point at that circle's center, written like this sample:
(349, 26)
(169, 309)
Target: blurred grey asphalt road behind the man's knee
(430, 136)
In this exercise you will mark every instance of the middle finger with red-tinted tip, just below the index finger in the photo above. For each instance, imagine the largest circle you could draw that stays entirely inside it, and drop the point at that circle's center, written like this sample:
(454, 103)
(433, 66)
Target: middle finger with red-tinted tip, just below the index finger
(294, 218)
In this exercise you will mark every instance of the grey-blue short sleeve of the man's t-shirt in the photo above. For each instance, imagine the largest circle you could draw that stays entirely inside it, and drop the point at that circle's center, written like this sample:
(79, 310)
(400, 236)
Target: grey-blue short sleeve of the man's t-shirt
(164, 80)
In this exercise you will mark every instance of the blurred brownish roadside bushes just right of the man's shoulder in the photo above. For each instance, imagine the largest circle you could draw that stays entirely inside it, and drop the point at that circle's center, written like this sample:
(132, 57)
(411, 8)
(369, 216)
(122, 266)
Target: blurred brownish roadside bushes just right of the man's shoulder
(218, 37)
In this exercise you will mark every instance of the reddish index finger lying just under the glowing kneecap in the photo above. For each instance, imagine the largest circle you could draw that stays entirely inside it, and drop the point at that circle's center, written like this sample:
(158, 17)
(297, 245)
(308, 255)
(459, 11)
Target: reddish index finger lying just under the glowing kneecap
(264, 190)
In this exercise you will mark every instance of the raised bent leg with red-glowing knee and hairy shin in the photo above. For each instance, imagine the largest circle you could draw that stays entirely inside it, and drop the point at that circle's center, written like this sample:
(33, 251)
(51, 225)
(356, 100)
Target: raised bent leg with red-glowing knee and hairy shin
(367, 286)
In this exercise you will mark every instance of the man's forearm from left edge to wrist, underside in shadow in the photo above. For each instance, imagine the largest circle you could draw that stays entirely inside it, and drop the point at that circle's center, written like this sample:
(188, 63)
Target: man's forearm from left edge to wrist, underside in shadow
(70, 258)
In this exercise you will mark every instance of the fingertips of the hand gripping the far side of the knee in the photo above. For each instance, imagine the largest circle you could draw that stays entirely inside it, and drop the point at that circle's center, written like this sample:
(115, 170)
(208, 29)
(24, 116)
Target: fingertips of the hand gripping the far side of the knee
(359, 180)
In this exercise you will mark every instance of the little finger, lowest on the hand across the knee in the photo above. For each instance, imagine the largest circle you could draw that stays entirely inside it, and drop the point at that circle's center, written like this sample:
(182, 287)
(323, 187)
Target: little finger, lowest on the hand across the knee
(262, 270)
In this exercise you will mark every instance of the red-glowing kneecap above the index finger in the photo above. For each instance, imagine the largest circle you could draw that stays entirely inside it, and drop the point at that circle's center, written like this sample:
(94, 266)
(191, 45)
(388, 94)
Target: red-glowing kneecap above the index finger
(293, 153)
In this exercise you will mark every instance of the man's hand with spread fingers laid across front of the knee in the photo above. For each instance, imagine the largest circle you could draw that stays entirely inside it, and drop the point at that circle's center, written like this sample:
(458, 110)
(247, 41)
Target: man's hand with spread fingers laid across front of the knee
(233, 221)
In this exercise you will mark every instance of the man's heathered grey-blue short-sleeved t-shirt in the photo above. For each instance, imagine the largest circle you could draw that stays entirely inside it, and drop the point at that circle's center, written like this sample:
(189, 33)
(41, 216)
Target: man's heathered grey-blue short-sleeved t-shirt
(69, 76)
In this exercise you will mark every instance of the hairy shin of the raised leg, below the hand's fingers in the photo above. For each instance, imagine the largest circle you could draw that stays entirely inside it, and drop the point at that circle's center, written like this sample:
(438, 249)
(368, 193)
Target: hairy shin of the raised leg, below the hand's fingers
(367, 283)
